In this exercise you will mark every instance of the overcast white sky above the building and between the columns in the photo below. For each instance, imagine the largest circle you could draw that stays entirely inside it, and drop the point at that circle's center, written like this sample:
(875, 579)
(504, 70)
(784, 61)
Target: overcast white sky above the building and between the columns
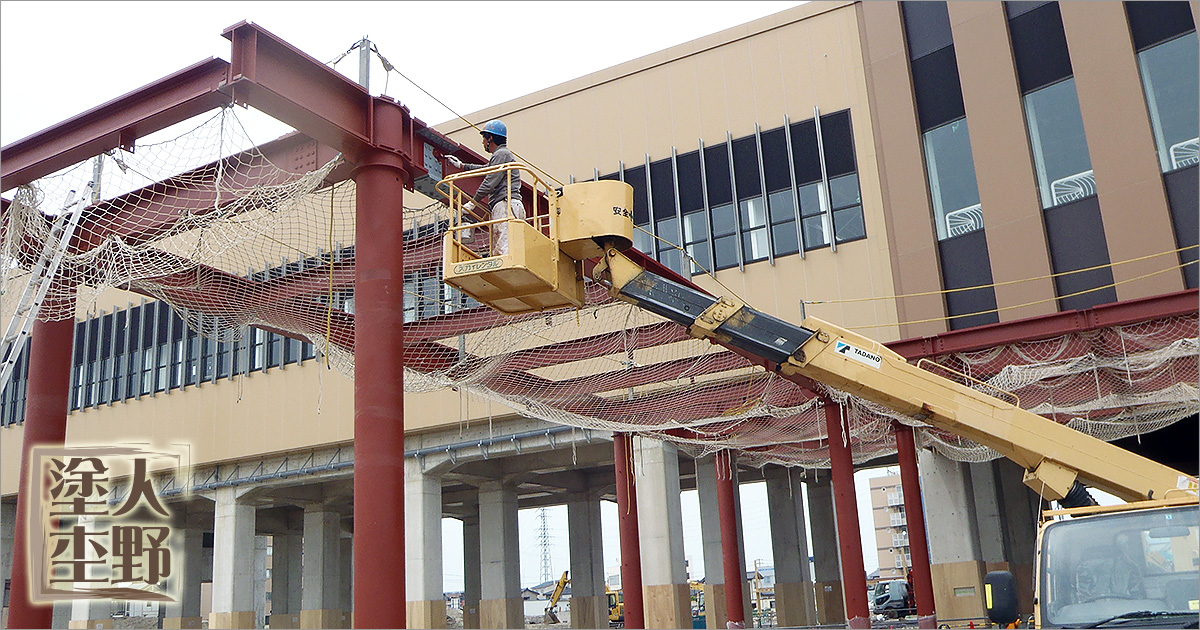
(61, 59)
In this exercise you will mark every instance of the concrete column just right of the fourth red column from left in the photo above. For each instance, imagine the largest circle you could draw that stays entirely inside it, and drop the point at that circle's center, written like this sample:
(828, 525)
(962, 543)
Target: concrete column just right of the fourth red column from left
(795, 602)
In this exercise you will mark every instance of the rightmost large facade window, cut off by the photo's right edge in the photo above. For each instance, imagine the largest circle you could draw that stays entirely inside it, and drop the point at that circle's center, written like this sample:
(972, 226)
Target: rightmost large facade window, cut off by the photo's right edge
(1171, 75)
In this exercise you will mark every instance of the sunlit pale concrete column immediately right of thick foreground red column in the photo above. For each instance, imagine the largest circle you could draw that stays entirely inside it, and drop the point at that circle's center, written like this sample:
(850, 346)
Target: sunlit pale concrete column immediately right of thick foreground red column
(423, 535)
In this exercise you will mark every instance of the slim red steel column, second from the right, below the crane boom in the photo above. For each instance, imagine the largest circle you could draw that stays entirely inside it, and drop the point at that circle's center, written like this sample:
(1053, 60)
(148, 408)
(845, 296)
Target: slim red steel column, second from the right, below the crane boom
(854, 574)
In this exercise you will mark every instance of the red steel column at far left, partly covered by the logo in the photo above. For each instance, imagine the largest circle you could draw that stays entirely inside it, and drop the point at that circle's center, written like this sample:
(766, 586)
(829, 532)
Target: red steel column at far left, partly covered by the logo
(47, 405)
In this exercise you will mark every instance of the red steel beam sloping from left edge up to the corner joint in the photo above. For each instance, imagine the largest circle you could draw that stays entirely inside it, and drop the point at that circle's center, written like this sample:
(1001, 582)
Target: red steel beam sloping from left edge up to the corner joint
(116, 124)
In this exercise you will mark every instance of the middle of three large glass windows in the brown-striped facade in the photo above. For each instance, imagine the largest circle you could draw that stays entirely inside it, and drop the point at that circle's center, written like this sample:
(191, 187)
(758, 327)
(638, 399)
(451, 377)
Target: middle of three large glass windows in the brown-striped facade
(1060, 146)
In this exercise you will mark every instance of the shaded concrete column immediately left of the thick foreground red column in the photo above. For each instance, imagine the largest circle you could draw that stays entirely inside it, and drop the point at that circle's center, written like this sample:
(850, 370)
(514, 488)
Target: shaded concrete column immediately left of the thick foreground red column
(321, 598)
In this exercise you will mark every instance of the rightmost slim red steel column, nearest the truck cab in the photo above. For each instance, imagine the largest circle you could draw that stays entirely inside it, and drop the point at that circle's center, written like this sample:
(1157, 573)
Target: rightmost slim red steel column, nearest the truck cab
(915, 515)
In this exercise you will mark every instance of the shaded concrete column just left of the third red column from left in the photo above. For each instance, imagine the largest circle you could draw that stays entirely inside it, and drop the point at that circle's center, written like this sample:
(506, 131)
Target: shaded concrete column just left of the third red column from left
(590, 604)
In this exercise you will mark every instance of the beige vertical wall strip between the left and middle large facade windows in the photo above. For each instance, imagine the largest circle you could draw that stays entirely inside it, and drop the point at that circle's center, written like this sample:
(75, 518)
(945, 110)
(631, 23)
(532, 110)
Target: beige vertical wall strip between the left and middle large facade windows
(1009, 187)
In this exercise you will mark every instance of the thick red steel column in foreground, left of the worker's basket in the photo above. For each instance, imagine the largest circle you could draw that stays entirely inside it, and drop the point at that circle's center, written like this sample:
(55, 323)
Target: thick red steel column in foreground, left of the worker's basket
(380, 595)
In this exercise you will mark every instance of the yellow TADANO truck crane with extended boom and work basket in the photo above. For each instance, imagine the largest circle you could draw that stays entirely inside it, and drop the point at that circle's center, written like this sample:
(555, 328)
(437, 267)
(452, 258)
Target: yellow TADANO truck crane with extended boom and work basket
(1156, 533)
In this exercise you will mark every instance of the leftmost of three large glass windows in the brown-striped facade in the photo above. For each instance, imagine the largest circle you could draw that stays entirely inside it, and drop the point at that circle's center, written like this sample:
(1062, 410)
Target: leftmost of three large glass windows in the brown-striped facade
(952, 181)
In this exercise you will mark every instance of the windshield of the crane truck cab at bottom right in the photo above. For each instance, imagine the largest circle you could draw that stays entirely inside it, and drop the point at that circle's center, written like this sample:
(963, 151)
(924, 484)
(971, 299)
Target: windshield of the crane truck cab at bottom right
(1106, 566)
